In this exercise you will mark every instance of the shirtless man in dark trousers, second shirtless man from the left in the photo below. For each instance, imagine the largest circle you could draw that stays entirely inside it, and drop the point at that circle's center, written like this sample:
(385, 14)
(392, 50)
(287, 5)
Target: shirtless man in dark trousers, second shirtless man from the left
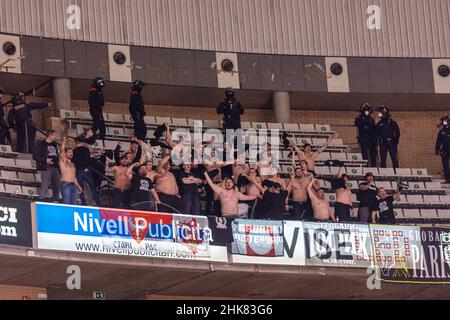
(122, 183)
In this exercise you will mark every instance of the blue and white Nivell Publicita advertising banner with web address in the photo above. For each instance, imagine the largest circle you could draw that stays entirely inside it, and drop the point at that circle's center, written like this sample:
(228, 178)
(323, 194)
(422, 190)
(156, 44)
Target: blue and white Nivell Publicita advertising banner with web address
(122, 232)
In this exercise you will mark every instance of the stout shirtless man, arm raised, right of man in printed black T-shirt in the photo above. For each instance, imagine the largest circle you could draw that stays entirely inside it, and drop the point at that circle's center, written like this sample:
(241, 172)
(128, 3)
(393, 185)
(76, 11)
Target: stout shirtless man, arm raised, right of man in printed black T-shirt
(166, 185)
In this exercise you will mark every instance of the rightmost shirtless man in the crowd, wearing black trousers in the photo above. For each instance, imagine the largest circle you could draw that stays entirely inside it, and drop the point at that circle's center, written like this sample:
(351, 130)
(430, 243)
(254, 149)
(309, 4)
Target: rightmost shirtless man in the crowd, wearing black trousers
(344, 204)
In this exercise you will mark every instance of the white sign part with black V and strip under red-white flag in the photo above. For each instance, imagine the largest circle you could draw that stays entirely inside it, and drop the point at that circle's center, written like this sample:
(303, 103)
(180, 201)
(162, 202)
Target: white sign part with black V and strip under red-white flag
(293, 245)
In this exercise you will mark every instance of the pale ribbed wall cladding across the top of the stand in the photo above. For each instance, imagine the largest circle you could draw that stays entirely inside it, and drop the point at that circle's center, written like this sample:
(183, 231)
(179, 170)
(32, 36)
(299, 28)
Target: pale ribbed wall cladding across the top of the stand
(300, 27)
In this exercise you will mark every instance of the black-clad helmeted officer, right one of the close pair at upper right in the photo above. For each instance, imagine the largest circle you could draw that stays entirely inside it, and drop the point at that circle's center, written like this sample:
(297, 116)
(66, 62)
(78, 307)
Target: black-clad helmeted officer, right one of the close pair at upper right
(388, 137)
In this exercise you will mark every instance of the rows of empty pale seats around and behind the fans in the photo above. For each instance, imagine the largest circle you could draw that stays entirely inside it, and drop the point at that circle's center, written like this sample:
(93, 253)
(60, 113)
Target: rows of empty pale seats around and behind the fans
(425, 201)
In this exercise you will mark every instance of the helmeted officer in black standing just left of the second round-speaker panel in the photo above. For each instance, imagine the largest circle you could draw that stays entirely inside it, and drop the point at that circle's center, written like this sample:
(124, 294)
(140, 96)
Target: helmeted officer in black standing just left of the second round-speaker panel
(96, 104)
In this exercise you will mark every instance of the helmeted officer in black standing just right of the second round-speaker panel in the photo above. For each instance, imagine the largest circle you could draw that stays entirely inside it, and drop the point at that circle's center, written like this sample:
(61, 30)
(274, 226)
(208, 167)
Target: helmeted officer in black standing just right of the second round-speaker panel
(137, 110)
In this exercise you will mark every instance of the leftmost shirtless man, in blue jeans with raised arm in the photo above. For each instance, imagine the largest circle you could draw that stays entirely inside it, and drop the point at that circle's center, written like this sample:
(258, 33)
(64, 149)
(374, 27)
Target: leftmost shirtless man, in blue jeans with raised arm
(69, 184)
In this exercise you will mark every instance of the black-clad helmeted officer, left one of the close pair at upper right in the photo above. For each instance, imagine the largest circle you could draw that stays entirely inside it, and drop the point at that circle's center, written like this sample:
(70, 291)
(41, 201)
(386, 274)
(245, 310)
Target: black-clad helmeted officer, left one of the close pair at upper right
(367, 134)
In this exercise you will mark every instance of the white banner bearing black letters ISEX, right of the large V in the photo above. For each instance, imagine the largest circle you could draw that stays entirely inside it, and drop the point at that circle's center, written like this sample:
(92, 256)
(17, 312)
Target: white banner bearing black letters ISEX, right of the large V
(337, 245)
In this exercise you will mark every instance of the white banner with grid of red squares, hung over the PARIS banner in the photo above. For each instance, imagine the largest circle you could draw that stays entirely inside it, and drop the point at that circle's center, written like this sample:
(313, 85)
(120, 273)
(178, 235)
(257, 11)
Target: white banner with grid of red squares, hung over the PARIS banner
(397, 249)
